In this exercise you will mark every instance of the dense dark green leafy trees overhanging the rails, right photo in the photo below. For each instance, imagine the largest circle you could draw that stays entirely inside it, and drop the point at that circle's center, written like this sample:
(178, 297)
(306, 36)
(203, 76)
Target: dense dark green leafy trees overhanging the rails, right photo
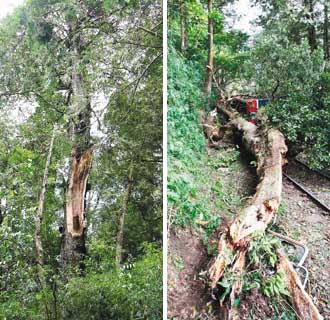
(283, 67)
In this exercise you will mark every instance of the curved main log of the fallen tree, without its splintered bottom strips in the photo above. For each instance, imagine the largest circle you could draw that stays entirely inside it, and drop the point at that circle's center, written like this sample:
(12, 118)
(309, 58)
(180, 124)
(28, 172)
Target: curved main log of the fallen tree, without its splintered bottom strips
(269, 149)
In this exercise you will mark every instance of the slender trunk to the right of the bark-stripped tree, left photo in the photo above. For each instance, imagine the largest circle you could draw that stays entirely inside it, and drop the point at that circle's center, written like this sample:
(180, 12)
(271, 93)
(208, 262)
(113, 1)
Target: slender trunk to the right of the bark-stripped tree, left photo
(120, 234)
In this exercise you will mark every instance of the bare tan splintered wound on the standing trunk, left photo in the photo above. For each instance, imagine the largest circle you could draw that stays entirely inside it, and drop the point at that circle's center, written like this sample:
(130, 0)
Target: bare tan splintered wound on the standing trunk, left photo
(76, 193)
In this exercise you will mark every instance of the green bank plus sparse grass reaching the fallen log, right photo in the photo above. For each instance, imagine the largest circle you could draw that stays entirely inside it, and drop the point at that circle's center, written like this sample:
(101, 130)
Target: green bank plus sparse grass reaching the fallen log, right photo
(196, 195)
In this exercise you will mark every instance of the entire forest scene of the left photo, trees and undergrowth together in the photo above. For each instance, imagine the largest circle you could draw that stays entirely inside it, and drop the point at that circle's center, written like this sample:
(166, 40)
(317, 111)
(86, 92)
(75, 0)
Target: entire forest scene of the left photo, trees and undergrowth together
(81, 160)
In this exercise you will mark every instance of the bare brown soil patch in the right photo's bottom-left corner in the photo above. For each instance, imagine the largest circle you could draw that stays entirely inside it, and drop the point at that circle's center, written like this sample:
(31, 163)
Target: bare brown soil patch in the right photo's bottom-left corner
(187, 292)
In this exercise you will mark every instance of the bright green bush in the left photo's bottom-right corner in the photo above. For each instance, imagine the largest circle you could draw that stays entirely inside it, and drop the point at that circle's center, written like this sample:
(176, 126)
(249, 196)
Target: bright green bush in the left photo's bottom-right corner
(133, 293)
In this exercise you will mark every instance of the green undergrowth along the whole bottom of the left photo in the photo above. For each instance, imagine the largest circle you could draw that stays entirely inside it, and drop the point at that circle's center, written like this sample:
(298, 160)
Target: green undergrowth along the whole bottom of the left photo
(133, 292)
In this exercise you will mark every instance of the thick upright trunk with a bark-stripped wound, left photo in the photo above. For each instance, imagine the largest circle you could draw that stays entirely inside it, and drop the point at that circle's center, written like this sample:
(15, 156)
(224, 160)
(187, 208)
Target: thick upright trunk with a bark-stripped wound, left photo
(73, 244)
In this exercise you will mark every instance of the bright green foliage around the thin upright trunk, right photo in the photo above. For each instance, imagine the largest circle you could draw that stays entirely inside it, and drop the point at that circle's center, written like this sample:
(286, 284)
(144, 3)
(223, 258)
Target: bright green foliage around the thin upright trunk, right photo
(230, 47)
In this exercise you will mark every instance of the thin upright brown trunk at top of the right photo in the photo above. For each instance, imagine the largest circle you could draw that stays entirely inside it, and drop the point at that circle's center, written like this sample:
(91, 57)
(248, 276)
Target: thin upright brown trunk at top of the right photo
(209, 66)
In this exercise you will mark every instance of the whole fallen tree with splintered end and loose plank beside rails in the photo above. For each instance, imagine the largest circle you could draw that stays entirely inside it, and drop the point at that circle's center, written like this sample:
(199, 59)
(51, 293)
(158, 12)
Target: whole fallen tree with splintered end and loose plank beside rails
(269, 149)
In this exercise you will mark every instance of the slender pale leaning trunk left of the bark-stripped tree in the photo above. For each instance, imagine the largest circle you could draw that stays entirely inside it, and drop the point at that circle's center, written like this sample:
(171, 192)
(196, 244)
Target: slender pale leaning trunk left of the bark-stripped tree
(40, 212)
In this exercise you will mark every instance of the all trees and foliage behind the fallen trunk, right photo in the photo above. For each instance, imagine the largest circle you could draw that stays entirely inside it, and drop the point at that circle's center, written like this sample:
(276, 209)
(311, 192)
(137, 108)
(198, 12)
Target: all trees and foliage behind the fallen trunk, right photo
(286, 61)
